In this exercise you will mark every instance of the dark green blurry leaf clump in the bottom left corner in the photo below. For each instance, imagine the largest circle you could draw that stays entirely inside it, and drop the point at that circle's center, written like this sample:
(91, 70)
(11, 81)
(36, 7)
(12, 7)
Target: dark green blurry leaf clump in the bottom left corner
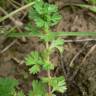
(7, 86)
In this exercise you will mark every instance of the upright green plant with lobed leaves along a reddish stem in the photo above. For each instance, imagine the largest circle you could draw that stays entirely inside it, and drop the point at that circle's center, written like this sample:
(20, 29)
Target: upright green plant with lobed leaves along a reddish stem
(44, 16)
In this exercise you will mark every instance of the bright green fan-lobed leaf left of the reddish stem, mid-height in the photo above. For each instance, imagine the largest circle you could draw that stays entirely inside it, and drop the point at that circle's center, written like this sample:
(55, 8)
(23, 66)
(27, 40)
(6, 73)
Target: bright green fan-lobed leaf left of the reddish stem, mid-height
(35, 61)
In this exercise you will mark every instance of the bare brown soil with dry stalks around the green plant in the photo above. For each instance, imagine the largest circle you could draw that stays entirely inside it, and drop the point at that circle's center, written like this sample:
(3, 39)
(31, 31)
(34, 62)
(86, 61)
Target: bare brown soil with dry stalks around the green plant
(78, 60)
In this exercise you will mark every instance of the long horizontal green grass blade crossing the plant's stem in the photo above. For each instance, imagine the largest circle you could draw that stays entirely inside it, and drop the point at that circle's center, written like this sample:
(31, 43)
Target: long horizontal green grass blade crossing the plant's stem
(52, 35)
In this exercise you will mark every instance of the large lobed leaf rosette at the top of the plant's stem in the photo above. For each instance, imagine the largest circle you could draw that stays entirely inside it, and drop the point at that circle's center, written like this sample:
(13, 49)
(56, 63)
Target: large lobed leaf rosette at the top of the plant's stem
(44, 14)
